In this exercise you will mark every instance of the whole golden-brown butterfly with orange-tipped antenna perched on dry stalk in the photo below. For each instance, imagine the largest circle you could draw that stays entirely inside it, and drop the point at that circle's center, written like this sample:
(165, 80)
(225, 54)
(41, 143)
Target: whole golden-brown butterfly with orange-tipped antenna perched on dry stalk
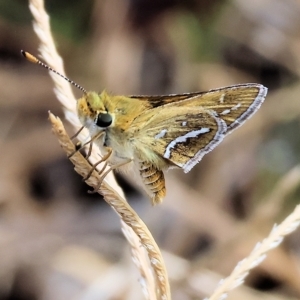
(156, 133)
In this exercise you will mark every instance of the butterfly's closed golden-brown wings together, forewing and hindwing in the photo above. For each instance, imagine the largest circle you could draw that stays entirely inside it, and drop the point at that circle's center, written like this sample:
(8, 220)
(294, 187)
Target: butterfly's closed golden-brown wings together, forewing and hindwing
(183, 128)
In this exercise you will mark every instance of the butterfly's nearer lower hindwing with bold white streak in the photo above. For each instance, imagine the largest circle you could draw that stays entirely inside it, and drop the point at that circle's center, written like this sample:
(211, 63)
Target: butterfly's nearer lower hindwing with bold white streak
(180, 135)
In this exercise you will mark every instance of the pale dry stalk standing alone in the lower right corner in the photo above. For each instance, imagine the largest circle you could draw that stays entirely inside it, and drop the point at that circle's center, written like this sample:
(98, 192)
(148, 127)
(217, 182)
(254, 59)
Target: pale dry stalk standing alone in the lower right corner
(258, 254)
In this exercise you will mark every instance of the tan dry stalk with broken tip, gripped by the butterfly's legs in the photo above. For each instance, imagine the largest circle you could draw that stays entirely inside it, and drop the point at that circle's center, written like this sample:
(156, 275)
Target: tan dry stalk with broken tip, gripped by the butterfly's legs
(122, 208)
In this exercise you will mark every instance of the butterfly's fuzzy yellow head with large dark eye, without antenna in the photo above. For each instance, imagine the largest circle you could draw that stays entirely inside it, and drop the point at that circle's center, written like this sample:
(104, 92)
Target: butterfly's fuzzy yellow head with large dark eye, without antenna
(92, 111)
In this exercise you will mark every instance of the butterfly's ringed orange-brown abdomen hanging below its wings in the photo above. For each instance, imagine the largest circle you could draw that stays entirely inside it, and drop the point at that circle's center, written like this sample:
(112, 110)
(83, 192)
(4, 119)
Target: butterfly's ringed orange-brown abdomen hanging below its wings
(154, 180)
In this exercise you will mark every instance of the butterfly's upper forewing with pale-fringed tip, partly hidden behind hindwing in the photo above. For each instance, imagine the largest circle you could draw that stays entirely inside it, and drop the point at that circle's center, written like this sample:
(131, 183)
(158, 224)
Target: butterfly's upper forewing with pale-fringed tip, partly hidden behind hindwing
(233, 104)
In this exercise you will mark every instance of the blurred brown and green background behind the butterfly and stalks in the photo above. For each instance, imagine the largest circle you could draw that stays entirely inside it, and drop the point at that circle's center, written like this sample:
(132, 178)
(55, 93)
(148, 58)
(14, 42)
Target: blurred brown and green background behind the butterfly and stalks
(57, 241)
